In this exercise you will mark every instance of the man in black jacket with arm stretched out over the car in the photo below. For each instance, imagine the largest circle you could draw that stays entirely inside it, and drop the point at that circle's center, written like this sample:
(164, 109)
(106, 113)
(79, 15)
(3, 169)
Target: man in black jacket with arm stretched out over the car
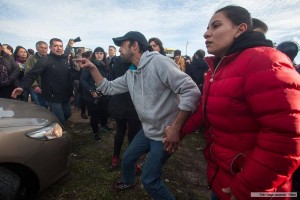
(56, 82)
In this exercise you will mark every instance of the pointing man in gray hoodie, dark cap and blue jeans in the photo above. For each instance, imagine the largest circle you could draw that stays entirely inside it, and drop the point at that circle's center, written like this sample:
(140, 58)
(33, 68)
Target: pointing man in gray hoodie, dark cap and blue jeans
(163, 97)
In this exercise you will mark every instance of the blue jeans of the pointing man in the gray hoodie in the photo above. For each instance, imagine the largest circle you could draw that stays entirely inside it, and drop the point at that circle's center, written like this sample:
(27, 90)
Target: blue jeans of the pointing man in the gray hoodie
(152, 168)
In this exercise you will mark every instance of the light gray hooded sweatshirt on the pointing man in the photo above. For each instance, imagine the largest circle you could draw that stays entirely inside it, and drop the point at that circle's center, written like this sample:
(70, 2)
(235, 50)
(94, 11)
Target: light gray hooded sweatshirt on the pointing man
(158, 90)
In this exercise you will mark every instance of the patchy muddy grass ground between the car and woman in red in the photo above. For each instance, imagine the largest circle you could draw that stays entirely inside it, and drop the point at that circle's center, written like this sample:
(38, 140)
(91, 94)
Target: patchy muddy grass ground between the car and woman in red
(91, 177)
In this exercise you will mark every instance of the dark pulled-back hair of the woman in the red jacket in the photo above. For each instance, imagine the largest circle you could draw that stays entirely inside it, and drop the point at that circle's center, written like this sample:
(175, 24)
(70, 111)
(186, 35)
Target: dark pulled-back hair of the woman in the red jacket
(237, 15)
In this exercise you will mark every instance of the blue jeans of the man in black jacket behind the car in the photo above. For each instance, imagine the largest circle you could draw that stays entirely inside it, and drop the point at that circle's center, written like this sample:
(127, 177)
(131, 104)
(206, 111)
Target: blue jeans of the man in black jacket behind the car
(62, 110)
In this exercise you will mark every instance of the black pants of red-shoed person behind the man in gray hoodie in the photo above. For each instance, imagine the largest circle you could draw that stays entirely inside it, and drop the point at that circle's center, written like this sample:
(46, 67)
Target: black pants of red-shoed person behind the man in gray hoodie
(133, 126)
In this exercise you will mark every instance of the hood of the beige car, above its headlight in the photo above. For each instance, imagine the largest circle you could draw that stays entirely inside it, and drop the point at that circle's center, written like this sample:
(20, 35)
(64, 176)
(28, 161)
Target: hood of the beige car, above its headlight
(14, 113)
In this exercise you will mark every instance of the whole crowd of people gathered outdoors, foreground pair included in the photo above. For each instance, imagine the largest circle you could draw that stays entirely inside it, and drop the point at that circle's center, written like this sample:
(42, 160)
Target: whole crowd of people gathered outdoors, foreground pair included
(245, 96)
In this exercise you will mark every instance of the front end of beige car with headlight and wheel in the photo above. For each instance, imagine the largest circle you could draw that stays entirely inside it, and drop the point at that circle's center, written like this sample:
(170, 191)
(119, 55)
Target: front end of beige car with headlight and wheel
(35, 150)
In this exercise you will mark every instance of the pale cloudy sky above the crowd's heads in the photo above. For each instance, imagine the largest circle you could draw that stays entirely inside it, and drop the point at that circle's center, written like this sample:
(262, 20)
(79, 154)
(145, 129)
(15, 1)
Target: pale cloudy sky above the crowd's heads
(179, 24)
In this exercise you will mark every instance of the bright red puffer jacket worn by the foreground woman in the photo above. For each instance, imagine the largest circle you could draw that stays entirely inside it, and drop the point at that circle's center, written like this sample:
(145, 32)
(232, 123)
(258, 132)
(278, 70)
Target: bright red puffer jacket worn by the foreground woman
(251, 110)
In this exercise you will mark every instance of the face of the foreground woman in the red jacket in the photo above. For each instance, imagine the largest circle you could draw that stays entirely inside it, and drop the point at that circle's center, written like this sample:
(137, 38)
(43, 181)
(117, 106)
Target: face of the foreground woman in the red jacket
(220, 34)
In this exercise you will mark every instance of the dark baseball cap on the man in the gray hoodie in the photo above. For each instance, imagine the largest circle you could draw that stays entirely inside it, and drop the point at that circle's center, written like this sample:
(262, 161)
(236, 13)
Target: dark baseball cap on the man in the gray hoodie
(134, 36)
